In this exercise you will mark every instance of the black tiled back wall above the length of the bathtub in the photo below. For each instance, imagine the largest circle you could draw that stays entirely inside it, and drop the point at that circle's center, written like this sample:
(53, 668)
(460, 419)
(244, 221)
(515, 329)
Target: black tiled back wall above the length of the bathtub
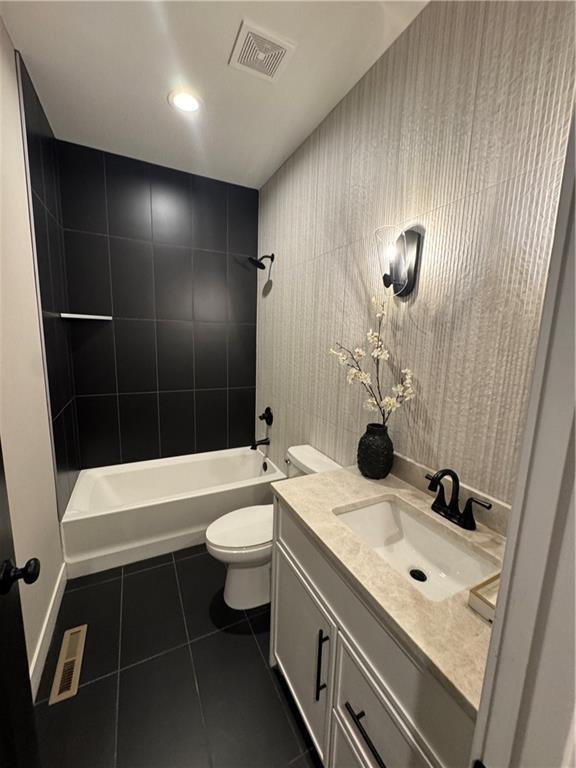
(166, 254)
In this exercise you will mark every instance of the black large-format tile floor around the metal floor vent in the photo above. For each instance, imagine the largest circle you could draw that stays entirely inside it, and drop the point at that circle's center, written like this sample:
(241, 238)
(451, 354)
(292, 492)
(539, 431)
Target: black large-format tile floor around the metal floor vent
(171, 677)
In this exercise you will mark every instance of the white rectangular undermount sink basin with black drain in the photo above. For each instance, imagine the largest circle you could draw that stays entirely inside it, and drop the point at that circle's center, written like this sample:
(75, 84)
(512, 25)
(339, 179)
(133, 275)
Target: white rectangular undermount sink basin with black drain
(402, 536)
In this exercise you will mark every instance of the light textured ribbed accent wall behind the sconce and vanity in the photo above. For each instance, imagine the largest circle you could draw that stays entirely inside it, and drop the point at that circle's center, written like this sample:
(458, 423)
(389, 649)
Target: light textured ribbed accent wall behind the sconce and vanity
(461, 127)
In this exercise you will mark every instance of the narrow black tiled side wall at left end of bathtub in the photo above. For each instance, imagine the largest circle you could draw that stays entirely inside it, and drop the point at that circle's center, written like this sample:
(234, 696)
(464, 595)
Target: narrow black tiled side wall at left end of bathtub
(45, 191)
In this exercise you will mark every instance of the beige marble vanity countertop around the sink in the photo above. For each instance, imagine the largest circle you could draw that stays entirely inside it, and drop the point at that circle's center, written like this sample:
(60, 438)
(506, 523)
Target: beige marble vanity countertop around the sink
(447, 636)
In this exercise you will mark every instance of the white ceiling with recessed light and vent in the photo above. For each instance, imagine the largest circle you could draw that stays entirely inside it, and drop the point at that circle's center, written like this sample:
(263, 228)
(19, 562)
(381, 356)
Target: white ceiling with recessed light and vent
(103, 71)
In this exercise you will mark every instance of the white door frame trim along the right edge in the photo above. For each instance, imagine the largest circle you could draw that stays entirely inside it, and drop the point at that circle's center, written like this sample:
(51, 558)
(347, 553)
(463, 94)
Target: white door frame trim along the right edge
(526, 714)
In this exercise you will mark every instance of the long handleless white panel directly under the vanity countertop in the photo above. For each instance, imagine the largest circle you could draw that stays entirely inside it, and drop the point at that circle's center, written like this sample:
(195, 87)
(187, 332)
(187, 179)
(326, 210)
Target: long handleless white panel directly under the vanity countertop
(417, 694)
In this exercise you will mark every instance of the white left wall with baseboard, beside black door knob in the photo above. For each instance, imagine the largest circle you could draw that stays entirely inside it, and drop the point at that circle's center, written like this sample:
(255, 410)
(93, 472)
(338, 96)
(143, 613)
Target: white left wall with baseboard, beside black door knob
(24, 420)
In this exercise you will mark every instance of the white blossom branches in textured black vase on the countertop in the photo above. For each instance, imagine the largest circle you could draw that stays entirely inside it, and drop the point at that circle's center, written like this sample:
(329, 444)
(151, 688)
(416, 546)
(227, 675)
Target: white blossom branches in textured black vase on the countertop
(375, 450)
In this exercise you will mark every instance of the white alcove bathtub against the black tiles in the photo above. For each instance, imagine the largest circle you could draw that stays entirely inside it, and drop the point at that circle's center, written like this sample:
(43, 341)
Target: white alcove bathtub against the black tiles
(127, 512)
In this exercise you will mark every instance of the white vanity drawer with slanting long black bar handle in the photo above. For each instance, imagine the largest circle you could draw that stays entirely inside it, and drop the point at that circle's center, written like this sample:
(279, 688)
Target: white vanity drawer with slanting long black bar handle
(383, 739)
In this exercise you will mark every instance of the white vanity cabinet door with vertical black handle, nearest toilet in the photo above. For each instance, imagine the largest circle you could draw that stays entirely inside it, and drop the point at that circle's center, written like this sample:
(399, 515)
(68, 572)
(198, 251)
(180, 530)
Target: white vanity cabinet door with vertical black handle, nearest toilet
(304, 646)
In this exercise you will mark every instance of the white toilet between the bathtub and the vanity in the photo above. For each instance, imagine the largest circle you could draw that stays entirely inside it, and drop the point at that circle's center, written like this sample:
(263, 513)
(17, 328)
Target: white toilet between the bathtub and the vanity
(243, 538)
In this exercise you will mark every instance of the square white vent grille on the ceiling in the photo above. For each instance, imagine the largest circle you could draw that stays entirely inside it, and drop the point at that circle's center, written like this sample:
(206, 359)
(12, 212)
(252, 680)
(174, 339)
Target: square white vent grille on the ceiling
(260, 53)
